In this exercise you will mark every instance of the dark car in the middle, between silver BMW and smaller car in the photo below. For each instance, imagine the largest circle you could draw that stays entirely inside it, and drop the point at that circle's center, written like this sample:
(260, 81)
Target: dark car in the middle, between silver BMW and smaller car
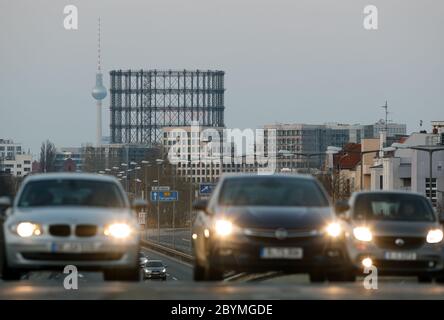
(259, 223)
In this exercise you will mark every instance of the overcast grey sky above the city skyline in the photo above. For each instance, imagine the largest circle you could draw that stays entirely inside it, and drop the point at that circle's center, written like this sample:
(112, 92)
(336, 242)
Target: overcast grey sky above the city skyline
(285, 60)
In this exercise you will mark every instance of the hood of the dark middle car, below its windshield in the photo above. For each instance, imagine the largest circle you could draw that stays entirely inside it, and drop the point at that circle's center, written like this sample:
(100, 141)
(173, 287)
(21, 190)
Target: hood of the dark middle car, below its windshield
(302, 218)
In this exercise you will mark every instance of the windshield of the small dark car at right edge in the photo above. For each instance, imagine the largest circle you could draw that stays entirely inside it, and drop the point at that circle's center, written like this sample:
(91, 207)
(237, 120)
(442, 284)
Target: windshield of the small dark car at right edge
(399, 207)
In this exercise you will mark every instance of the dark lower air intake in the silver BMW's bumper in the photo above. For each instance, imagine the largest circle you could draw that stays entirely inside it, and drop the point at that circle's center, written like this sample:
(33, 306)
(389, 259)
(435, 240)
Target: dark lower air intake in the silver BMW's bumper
(72, 256)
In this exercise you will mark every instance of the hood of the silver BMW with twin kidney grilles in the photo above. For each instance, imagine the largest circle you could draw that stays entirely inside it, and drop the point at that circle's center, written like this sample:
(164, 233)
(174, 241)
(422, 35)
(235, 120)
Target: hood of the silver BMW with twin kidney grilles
(71, 215)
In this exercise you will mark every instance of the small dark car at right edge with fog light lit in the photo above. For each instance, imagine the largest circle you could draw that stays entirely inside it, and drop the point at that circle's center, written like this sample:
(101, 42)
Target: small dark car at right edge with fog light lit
(398, 232)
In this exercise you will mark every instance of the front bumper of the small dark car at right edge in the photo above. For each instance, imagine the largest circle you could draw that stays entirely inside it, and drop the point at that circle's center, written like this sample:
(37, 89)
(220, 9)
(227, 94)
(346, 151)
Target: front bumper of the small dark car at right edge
(427, 259)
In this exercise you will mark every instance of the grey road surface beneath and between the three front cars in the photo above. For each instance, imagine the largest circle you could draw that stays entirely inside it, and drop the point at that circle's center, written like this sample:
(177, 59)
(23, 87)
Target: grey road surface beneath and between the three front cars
(179, 285)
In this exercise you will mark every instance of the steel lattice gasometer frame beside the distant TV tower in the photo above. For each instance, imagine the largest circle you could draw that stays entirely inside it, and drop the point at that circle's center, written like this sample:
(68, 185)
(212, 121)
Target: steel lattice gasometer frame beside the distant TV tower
(144, 101)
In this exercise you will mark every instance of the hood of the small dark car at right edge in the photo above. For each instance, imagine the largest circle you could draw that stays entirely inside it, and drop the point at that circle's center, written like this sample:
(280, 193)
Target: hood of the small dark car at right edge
(401, 228)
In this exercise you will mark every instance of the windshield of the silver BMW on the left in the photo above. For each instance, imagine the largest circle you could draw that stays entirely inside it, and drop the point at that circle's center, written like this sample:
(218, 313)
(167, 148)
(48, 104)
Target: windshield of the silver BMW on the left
(71, 192)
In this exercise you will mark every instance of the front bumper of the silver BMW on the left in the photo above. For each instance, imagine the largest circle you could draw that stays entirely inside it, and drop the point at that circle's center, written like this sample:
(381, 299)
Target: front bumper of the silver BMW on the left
(96, 253)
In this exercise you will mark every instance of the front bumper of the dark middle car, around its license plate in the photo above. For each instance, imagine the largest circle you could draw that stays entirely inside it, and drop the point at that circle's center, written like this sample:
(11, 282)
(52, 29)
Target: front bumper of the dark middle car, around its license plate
(317, 254)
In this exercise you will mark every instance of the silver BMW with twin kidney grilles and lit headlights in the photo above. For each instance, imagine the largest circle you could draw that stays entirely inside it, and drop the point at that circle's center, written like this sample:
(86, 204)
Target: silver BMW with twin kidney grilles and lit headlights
(60, 219)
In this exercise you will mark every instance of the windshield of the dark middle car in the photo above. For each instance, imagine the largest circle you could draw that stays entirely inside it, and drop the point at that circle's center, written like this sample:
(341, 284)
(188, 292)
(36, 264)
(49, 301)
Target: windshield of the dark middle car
(272, 192)
